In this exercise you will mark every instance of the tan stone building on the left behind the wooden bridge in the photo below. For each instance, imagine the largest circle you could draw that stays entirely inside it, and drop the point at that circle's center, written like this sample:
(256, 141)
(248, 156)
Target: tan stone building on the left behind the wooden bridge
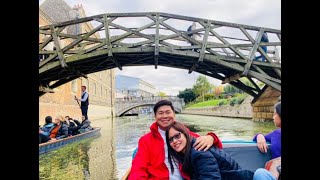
(100, 85)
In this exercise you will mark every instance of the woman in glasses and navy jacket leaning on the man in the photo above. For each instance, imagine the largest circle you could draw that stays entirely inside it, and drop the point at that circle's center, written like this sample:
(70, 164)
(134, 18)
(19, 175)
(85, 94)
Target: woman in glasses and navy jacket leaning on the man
(212, 164)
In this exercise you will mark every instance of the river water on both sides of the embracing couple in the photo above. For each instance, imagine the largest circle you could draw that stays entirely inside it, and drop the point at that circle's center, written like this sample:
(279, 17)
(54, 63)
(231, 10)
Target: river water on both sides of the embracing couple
(109, 155)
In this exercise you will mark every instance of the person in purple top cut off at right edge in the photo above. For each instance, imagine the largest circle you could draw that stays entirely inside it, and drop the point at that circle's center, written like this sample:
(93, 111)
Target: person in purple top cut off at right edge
(274, 138)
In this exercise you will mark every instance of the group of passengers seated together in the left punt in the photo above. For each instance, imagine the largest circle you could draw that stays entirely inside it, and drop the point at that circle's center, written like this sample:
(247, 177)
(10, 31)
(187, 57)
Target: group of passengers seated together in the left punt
(62, 128)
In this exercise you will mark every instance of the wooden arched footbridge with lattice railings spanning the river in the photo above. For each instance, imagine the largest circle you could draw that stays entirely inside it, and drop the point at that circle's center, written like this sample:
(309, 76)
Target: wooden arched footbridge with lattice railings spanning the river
(225, 51)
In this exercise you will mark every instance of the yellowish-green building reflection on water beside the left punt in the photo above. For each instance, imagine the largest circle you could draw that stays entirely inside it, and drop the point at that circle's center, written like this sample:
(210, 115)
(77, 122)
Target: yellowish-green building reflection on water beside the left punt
(92, 159)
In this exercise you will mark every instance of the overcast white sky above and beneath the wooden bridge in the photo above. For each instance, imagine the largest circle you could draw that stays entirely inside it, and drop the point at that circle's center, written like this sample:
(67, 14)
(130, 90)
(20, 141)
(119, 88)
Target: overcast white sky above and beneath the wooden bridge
(264, 13)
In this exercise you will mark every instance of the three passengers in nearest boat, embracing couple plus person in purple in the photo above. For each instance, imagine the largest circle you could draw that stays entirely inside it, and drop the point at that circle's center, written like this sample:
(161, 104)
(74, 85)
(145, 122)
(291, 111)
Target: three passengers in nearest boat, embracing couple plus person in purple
(171, 151)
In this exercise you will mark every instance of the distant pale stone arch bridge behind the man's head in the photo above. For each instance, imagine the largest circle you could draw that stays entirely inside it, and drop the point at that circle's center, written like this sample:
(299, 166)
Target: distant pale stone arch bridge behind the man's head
(124, 105)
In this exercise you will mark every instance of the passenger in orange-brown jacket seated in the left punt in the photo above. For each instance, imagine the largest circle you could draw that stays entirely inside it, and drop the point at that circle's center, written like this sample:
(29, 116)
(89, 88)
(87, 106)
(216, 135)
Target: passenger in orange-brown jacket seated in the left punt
(60, 130)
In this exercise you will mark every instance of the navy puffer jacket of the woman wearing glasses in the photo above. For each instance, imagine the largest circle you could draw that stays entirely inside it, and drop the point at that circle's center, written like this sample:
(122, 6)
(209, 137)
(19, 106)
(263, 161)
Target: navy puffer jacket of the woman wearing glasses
(216, 164)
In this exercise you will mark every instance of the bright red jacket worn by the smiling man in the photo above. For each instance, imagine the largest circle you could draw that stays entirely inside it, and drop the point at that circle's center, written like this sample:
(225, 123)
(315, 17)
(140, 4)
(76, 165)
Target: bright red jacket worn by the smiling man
(149, 160)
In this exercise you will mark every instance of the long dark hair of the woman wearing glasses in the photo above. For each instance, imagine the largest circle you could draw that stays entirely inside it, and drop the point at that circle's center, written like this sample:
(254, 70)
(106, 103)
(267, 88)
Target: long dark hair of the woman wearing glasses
(172, 154)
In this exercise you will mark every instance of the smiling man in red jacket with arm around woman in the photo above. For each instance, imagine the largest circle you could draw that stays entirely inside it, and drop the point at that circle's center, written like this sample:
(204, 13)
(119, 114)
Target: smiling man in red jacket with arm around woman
(151, 160)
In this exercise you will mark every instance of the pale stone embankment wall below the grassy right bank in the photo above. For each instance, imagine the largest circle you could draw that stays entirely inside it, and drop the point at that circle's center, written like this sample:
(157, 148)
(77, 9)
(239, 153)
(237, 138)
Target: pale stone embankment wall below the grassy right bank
(243, 110)
